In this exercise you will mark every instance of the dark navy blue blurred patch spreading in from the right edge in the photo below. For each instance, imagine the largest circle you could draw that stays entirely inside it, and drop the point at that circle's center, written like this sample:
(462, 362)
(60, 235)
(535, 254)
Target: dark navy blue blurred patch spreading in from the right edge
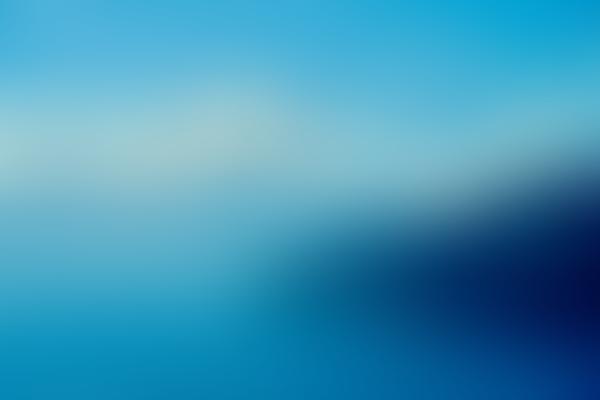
(520, 286)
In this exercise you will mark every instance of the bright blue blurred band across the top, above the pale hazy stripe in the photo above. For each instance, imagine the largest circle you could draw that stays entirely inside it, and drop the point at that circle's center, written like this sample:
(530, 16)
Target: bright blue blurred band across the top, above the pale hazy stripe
(421, 54)
